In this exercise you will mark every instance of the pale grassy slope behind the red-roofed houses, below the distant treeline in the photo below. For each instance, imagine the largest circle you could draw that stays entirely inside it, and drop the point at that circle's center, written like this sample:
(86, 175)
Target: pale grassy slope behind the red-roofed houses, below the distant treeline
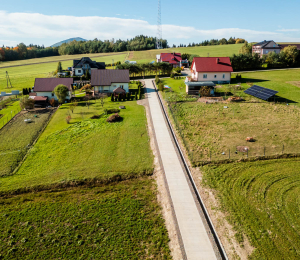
(202, 51)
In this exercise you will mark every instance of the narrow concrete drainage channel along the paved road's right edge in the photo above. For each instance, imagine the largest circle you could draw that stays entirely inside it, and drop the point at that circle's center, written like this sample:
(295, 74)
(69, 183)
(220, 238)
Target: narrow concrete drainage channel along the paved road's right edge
(185, 164)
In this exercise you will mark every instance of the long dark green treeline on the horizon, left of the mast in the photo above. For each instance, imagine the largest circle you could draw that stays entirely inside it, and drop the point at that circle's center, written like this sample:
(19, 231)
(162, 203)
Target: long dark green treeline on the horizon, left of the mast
(137, 43)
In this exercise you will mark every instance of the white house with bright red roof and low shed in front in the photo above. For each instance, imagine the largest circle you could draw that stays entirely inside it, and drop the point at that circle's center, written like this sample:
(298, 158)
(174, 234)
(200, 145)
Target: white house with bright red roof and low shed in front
(207, 72)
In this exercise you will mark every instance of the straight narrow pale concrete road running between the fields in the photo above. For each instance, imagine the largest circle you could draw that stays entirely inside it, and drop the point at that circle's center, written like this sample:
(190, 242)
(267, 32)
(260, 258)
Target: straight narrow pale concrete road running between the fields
(193, 233)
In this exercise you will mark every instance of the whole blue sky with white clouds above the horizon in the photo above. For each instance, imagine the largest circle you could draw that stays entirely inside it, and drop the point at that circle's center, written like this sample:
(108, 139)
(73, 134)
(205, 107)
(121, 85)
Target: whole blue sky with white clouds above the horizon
(47, 22)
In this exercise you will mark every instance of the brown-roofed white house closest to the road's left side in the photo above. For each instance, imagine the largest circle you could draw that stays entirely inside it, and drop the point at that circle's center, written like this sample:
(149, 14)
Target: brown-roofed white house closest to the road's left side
(106, 81)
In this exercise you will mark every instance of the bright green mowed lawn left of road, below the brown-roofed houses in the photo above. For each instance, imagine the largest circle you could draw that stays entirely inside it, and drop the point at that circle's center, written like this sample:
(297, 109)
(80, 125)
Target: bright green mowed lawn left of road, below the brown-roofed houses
(87, 148)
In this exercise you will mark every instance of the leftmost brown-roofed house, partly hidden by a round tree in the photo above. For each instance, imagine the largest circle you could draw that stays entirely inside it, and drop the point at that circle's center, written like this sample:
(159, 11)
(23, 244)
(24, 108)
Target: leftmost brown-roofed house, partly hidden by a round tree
(44, 87)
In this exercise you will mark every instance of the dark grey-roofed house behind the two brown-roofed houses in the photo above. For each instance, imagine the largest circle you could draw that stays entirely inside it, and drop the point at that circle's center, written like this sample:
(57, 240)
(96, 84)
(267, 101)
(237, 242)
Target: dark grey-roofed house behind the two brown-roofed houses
(81, 66)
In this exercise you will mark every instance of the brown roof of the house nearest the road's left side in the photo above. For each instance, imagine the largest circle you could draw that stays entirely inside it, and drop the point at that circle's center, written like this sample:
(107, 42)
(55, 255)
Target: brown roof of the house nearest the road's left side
(107, 77)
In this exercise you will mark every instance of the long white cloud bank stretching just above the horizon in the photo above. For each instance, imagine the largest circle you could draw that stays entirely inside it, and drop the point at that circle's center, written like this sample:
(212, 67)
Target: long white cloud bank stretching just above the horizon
(48, 29)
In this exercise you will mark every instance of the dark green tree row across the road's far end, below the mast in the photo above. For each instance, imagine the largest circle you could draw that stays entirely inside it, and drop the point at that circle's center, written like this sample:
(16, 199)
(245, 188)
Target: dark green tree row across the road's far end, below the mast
(147, 69)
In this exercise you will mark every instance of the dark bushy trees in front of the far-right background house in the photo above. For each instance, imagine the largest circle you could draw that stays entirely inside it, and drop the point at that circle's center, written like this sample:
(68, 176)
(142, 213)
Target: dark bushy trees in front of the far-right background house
(288, 57)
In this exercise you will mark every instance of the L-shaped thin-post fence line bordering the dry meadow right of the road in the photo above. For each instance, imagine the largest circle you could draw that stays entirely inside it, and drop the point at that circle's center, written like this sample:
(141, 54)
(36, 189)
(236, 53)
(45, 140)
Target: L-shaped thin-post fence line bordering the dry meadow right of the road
(219, 155)
